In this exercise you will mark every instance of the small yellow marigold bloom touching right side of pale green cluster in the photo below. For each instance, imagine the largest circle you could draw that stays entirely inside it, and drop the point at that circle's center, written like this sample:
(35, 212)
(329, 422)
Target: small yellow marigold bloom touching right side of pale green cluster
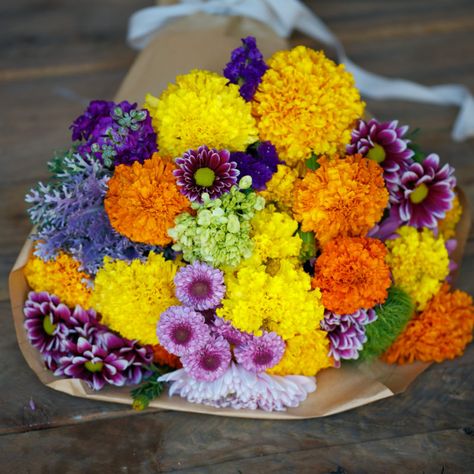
(273, 235)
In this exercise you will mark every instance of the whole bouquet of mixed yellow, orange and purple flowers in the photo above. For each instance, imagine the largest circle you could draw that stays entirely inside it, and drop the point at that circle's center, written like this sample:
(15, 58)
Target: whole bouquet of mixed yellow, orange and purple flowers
(237, 236)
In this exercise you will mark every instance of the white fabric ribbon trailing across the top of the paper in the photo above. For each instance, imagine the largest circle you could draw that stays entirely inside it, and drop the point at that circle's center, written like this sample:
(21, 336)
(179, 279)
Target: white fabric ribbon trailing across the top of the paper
(284, 16)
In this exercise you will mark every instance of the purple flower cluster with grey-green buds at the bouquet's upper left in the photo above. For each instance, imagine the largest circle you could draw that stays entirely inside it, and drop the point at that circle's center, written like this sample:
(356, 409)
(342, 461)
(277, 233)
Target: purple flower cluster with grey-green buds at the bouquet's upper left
(115, 133)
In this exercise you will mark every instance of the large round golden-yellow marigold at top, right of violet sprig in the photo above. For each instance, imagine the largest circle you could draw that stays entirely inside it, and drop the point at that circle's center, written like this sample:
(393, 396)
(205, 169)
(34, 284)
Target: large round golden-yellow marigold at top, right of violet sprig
(306, 104)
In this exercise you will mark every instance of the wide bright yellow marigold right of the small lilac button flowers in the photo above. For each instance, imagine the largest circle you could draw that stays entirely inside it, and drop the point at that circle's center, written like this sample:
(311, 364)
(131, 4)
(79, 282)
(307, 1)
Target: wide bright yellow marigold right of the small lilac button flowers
(281, 301)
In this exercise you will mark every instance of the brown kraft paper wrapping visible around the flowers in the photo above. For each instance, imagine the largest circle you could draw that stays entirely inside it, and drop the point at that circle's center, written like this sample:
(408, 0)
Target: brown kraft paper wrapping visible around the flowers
(205, 42)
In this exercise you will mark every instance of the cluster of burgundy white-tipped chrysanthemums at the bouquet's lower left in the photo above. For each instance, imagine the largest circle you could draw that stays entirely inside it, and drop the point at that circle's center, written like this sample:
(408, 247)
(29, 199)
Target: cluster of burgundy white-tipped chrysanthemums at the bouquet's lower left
(73, 343)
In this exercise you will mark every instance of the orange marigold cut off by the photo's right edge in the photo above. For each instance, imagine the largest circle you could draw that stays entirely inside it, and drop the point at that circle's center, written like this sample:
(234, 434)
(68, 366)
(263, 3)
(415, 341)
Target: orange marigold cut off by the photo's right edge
(441, 331)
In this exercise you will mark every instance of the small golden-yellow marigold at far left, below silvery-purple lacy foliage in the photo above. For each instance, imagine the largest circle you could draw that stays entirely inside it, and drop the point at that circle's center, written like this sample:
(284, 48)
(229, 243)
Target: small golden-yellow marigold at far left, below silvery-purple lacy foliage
(61, 277)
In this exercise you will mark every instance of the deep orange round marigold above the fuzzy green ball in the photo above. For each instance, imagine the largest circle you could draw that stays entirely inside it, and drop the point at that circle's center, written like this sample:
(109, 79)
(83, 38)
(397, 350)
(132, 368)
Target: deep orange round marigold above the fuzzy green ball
(352, 274)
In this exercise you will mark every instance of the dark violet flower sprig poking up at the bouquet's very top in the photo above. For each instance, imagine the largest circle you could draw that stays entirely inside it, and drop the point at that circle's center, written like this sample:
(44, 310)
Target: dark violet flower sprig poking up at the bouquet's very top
(246, 67)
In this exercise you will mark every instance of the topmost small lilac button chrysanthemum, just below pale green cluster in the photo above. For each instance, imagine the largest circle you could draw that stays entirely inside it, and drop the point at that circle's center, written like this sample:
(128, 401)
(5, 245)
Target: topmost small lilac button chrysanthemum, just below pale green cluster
(199, 286)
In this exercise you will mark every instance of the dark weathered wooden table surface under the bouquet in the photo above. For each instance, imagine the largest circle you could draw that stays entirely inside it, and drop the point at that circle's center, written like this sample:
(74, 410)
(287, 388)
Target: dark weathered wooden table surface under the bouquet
(56, 55)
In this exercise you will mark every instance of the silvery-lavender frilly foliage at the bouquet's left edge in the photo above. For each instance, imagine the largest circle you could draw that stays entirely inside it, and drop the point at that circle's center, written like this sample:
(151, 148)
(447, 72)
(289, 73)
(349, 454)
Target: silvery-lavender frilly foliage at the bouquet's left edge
(70, 216)
